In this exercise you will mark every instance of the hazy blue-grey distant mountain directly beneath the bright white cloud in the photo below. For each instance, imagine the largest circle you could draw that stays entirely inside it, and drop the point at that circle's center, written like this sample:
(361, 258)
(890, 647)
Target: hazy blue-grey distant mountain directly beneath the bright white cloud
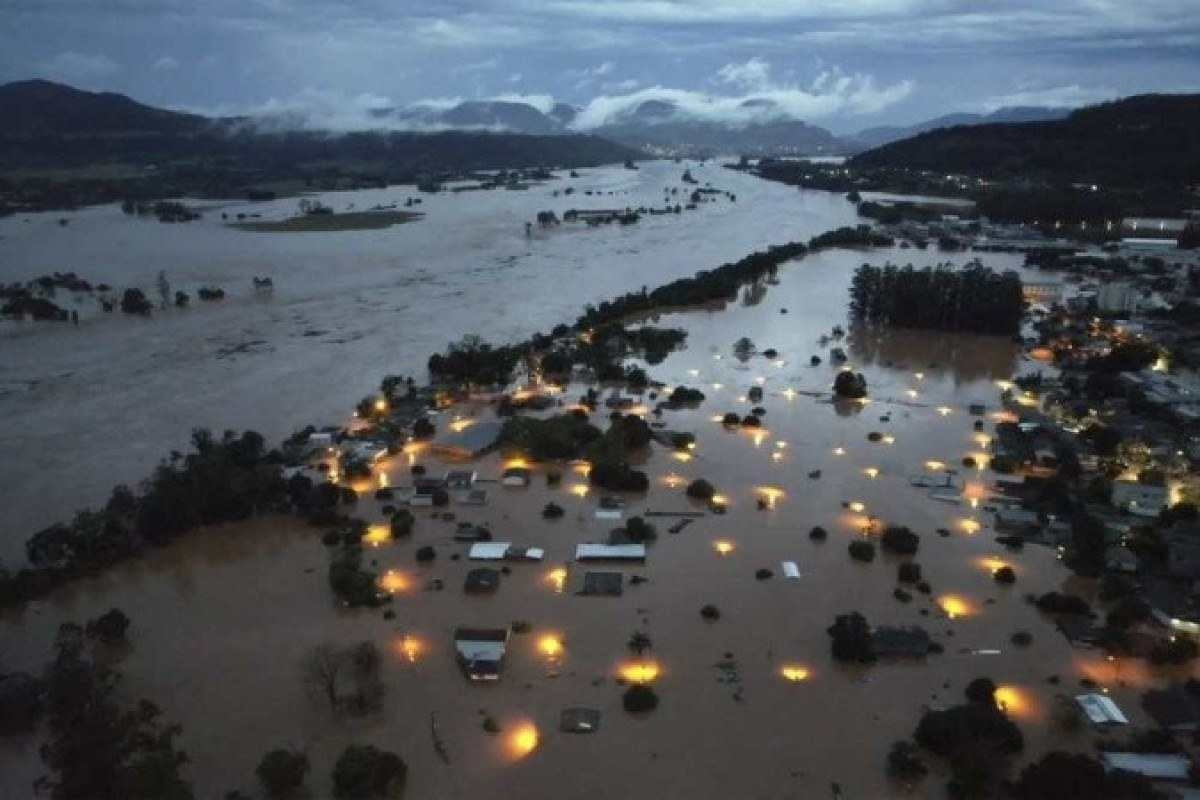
(662, 128)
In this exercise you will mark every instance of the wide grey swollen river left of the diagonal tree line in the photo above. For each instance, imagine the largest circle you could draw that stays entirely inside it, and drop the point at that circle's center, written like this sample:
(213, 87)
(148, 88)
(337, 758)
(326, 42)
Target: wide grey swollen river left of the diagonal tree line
(87, 408)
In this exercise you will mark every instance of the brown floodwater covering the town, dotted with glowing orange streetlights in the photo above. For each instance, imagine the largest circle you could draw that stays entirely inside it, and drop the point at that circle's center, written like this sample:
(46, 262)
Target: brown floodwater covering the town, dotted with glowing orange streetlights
(223, 621)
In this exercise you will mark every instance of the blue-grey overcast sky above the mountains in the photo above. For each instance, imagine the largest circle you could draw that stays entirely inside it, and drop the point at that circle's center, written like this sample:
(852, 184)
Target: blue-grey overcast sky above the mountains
(843, 64)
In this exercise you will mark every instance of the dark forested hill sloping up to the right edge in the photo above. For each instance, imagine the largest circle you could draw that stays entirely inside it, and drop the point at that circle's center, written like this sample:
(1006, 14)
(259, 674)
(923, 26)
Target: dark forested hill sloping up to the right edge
(1143, 141)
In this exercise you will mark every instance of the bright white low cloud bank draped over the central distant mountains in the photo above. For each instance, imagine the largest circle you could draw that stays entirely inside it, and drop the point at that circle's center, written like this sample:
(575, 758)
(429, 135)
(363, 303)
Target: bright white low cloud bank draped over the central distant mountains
(832, 93)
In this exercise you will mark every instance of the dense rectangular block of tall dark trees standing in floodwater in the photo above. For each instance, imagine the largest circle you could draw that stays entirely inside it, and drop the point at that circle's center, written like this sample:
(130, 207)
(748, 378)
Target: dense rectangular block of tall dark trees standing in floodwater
(974, 299)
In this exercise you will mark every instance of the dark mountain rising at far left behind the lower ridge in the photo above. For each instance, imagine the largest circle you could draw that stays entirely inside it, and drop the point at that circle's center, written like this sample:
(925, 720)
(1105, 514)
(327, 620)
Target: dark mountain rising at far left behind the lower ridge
(35, 109)
